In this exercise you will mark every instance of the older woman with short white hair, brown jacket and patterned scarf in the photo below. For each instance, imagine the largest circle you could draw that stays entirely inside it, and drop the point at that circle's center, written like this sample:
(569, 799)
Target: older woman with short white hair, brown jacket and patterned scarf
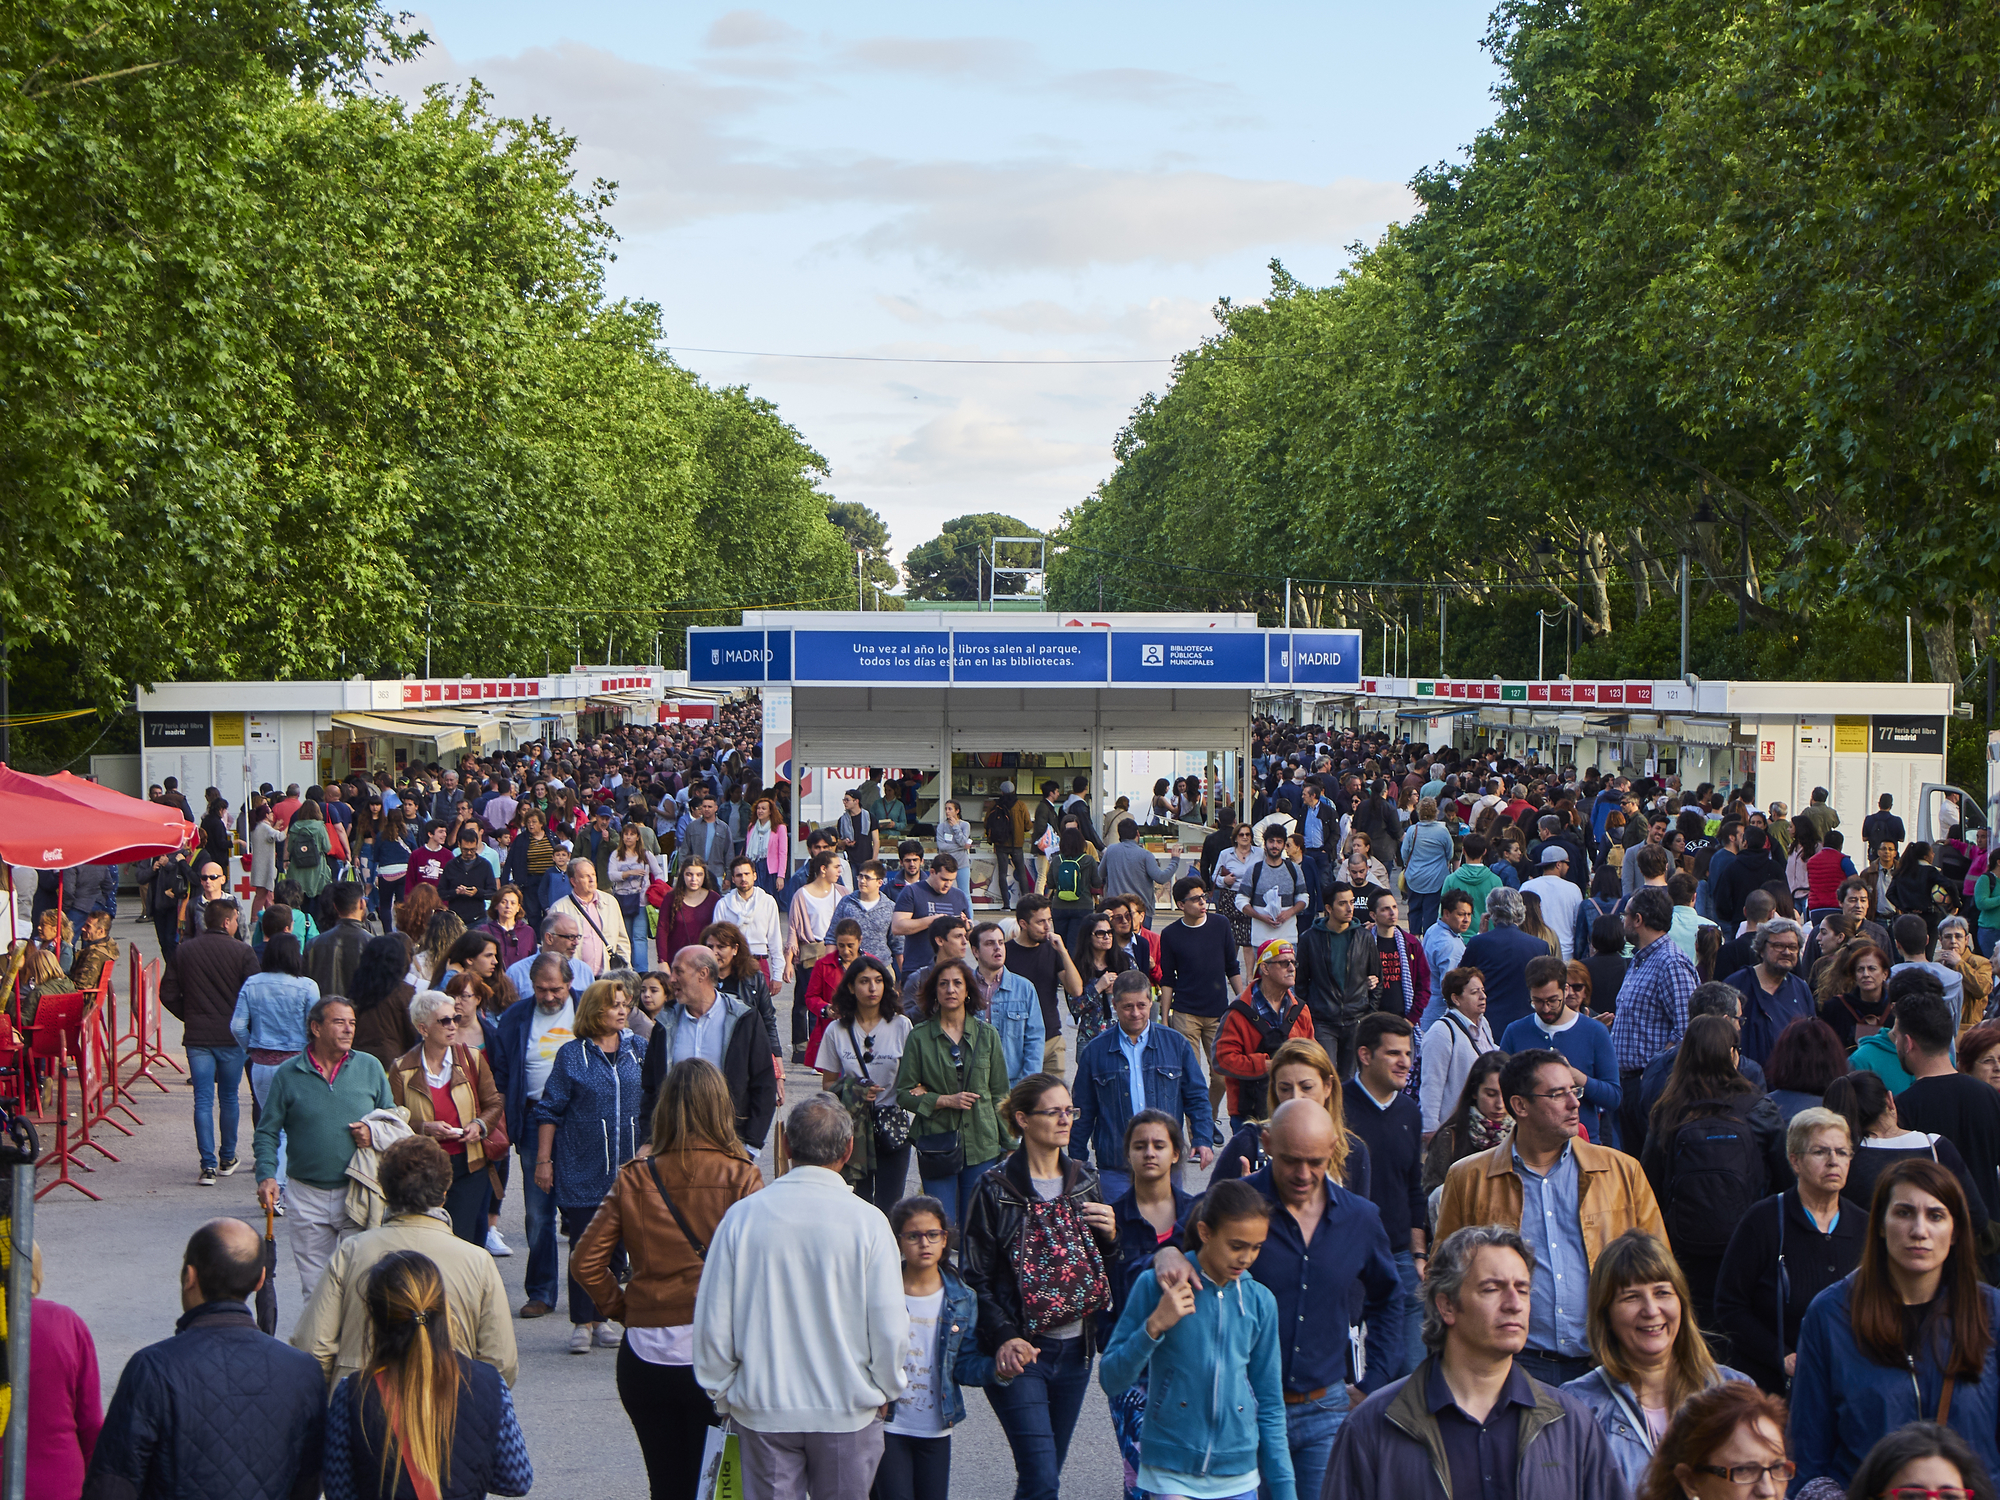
(453, 1099)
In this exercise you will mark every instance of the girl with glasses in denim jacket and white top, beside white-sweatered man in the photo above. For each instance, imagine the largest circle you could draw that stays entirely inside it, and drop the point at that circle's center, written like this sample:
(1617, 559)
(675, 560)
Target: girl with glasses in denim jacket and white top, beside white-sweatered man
(941, 1355)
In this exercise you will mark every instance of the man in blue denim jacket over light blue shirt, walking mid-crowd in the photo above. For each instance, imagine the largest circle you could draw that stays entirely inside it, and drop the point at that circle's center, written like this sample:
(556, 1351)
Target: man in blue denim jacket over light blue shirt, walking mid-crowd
(1127, 1069)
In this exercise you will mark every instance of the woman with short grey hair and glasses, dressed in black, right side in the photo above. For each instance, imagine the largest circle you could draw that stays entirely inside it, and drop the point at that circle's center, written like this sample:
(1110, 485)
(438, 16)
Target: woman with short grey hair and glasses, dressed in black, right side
(1789, 1249)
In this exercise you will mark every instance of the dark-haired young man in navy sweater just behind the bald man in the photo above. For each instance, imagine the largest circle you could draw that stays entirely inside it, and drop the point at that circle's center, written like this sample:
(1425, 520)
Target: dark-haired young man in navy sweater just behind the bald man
(1393, 1129)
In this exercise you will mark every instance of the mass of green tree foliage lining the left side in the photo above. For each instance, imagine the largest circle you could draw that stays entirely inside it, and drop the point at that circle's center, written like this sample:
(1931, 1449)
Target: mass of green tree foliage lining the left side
(295, 369)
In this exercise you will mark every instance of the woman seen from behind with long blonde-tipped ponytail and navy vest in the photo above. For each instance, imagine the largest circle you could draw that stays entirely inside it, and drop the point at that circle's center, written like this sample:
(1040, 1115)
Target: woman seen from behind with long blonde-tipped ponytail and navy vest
(421, 1419)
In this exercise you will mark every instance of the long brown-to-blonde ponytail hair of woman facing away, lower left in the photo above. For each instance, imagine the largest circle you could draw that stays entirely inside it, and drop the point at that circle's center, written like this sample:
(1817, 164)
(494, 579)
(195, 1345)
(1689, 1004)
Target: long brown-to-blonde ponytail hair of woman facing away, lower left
(417, 1369)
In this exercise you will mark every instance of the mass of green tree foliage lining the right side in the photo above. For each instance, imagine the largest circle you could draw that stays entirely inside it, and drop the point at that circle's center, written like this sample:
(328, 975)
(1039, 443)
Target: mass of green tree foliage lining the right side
(1717, 281)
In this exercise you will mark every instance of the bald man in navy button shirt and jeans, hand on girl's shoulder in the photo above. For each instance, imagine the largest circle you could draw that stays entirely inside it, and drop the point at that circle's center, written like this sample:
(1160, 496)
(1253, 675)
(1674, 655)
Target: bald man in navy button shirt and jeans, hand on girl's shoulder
(1325, 1241)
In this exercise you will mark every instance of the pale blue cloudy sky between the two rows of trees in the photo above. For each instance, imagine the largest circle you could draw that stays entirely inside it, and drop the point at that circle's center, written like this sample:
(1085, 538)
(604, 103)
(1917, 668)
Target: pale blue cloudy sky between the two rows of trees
(1061, 191)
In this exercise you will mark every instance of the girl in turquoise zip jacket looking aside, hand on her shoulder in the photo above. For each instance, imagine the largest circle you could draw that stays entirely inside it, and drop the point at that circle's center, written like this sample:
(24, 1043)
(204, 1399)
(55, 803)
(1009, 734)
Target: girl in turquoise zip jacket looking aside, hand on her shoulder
(1215, 1403)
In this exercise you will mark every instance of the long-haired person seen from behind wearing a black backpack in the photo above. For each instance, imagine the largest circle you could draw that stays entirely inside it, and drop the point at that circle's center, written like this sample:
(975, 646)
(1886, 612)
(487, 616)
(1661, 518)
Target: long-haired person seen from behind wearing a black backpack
(1691, 1133)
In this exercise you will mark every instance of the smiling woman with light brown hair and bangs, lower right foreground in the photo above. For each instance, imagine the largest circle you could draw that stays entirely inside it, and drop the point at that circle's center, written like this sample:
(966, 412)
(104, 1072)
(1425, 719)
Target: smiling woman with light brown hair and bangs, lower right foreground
(1651, 1355)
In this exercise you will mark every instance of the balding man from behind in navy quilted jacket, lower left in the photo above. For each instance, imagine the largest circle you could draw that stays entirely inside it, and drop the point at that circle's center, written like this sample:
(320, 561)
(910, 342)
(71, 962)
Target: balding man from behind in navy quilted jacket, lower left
(221, 1407)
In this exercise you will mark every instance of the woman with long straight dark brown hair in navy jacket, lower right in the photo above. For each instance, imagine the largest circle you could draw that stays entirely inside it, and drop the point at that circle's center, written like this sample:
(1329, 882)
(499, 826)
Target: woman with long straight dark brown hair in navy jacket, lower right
(1907, 1339)
